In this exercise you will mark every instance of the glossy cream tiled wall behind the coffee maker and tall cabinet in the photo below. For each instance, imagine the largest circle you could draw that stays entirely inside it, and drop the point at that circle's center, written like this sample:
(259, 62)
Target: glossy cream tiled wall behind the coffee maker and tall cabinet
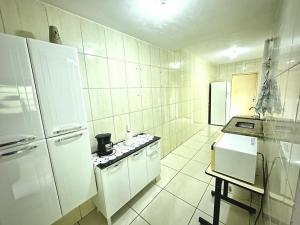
(125, 81)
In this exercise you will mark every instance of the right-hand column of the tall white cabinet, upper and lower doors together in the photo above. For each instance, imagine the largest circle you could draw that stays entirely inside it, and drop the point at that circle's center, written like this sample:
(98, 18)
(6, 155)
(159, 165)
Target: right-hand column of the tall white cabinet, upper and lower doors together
(57, 77)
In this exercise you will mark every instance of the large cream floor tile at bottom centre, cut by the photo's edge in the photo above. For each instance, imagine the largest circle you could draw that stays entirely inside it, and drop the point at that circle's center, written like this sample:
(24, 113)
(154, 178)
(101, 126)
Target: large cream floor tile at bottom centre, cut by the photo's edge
(166, 209)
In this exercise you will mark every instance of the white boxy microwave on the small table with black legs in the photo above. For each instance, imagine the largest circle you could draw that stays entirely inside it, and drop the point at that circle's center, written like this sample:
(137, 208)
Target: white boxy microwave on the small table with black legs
(236, 156)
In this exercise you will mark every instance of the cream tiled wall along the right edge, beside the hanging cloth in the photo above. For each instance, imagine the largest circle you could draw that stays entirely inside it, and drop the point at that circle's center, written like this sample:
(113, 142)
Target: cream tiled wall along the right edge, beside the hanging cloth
(283, 148)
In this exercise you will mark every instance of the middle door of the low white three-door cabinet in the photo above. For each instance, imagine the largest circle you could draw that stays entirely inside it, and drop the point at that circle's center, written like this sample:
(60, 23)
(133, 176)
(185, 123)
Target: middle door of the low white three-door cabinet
(137, 171)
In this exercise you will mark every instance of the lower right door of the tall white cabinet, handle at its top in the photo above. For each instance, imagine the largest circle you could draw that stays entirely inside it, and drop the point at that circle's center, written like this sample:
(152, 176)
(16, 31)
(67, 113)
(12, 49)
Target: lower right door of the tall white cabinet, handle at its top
(72, 167)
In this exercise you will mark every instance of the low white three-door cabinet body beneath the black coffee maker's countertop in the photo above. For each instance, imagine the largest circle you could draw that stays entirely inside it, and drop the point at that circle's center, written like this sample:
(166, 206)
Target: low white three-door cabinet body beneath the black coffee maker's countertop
(121, 181)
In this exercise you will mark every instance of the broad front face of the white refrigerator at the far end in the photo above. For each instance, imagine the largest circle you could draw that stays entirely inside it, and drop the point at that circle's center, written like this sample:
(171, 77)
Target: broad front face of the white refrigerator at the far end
(218, 103)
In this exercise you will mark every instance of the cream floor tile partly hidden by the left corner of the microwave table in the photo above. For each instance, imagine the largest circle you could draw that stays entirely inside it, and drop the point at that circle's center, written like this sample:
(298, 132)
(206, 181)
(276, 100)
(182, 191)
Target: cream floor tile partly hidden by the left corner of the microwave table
(196, 170)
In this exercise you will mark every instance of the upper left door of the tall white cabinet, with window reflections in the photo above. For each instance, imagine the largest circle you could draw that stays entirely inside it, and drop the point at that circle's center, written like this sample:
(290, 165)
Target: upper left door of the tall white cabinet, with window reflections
(20, 119)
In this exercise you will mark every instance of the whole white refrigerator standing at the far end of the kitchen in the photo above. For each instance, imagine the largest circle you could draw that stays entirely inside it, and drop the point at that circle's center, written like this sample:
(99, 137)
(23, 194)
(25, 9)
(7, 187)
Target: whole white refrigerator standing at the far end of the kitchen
(219, 103)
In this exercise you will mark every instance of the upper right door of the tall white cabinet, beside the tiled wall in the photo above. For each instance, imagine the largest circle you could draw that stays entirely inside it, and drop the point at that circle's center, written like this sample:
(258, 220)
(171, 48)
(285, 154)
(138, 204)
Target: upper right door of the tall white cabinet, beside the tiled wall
(56, 73)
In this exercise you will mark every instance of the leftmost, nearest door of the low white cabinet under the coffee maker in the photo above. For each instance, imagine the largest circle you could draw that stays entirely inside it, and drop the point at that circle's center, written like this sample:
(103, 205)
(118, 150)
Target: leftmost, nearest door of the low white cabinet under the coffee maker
(116, 186)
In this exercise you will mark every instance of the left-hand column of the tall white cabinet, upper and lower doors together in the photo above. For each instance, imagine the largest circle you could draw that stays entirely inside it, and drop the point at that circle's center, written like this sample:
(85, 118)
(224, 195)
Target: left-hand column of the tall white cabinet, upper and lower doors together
(27, 190)
